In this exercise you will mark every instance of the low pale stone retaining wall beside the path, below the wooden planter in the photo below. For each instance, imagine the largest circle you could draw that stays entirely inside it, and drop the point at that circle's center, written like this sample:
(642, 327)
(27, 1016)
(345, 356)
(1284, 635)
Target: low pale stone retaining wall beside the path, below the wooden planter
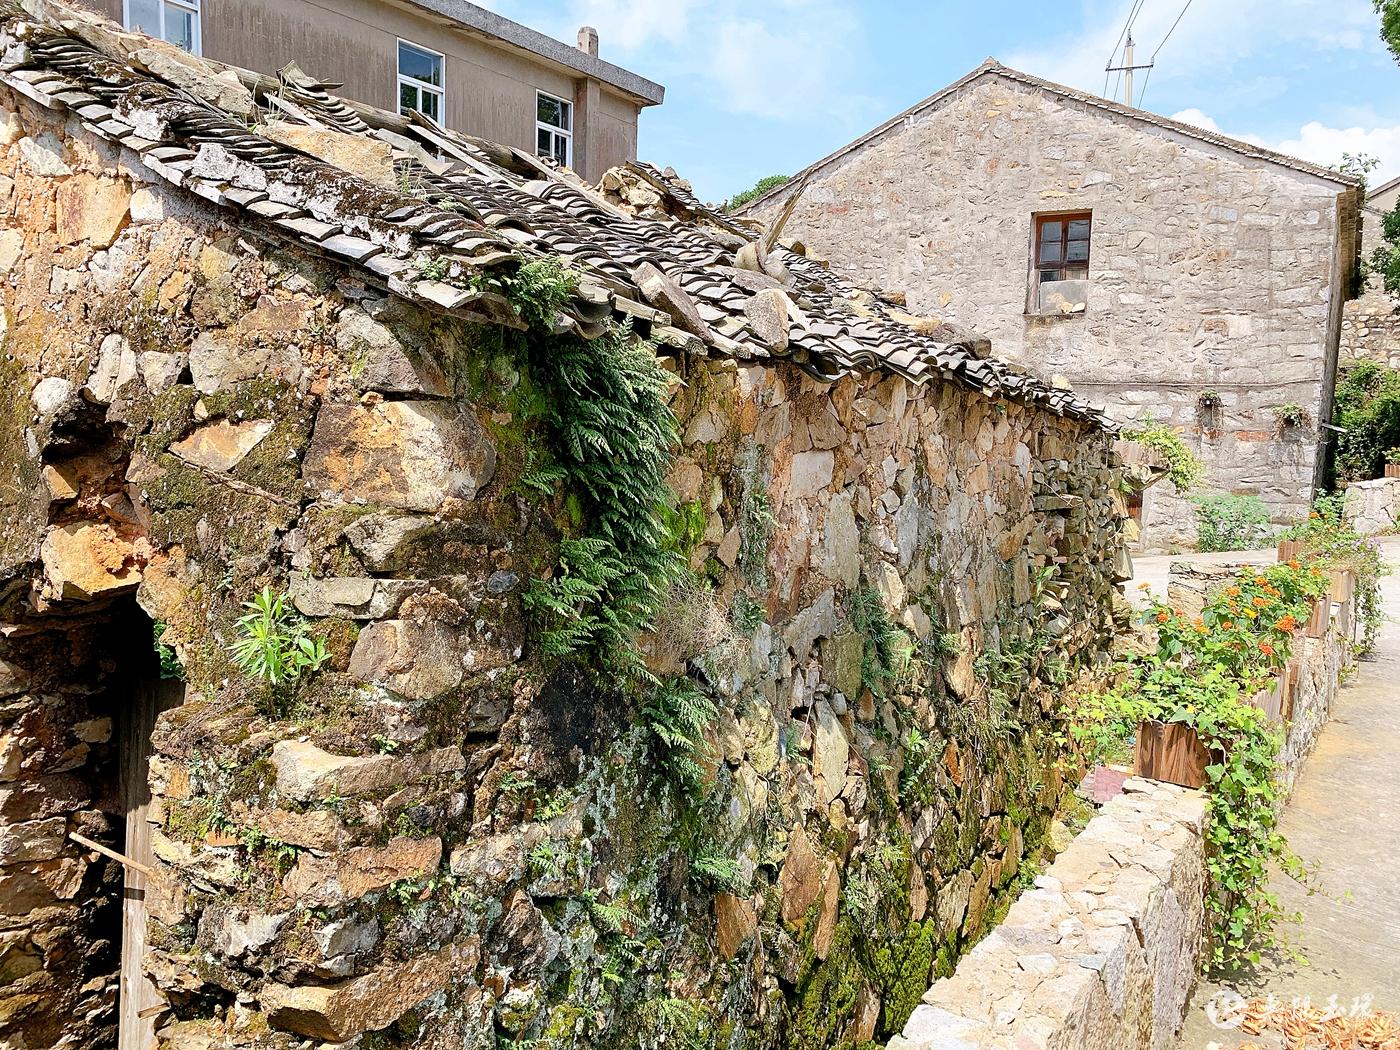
(1101, 953)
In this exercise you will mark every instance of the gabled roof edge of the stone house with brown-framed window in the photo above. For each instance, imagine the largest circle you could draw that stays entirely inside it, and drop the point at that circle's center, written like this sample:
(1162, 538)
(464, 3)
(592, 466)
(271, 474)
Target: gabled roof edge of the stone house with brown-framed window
(1111, 108)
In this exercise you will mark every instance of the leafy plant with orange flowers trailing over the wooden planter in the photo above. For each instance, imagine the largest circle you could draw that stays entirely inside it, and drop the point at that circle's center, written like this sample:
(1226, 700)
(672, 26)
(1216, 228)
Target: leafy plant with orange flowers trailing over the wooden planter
(1200, 675)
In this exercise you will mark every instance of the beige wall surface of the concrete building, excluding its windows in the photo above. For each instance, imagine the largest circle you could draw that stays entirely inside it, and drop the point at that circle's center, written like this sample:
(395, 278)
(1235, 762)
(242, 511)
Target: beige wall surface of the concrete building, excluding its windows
(491, 92)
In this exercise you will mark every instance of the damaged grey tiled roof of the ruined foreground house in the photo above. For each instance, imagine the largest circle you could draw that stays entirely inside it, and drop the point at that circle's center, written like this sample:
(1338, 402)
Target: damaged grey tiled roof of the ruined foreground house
(464, 209)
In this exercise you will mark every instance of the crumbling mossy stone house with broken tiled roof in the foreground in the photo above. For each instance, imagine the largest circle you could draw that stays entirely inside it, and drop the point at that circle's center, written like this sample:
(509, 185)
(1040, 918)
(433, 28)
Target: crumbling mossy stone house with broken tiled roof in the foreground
(302, 355)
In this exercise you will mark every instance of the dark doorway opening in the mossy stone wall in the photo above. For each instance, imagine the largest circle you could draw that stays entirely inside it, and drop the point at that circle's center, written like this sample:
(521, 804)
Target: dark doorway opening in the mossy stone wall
(79, 738)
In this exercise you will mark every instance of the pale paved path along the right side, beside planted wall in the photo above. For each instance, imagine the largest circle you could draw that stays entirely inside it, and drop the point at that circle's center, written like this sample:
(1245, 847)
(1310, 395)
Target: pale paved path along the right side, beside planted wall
(1345, 817)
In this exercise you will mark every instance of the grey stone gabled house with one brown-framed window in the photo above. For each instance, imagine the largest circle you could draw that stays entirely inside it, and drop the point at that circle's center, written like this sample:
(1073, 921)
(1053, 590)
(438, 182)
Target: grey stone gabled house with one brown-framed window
(1156, 267)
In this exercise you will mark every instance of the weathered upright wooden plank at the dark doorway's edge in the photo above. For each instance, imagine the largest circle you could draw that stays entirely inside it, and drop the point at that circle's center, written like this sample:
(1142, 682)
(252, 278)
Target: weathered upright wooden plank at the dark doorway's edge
(139, 1002)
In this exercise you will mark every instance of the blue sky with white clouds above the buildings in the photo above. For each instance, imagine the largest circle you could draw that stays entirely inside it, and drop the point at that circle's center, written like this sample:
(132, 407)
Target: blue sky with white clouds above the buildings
(761, 87)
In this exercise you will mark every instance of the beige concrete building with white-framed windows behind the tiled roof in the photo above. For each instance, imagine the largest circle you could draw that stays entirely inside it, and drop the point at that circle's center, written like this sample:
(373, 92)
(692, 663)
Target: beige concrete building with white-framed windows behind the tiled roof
(461, 65)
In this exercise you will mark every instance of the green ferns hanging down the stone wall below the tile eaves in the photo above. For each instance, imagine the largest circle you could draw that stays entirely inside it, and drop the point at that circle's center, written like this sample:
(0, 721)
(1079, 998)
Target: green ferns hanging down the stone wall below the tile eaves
(612, 432)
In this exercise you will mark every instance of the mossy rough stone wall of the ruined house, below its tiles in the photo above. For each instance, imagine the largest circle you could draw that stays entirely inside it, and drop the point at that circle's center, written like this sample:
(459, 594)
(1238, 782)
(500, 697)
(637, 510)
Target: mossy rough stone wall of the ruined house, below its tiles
(444, 838)
